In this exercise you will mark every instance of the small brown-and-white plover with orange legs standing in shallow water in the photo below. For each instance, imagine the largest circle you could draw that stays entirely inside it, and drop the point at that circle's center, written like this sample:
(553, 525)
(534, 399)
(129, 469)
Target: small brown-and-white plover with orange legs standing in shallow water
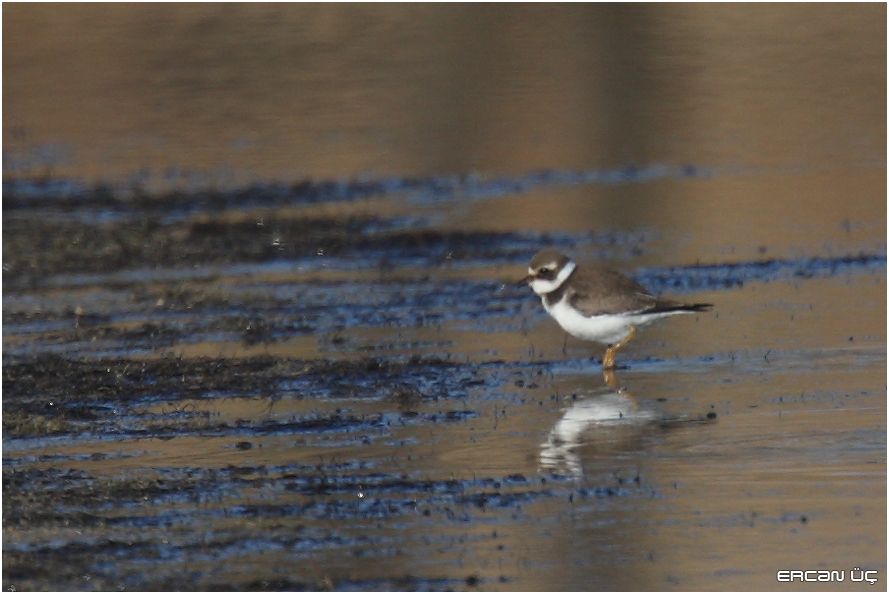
(596, 304)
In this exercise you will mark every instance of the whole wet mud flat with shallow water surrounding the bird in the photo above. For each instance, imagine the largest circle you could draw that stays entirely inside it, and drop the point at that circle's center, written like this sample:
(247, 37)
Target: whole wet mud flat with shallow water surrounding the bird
(270, 398)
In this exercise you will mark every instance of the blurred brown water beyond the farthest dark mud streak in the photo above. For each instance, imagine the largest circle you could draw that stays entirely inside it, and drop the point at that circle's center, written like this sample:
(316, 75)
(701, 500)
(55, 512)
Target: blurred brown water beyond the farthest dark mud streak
(247, 92)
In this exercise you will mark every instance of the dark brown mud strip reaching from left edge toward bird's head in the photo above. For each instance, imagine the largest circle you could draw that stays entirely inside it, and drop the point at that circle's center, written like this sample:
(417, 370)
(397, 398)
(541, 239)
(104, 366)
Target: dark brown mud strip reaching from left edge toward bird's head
(37, 248)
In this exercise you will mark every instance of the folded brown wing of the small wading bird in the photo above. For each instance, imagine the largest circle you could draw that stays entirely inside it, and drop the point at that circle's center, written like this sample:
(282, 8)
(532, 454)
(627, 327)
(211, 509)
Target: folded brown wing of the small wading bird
(596, 292)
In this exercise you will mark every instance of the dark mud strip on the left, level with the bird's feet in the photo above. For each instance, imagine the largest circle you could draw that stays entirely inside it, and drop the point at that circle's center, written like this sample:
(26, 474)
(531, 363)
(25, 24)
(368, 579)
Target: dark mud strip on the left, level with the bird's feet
(50, 395)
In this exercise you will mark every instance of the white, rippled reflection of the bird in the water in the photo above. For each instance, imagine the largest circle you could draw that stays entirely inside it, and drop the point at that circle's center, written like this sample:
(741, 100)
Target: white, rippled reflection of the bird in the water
(608, 417)
